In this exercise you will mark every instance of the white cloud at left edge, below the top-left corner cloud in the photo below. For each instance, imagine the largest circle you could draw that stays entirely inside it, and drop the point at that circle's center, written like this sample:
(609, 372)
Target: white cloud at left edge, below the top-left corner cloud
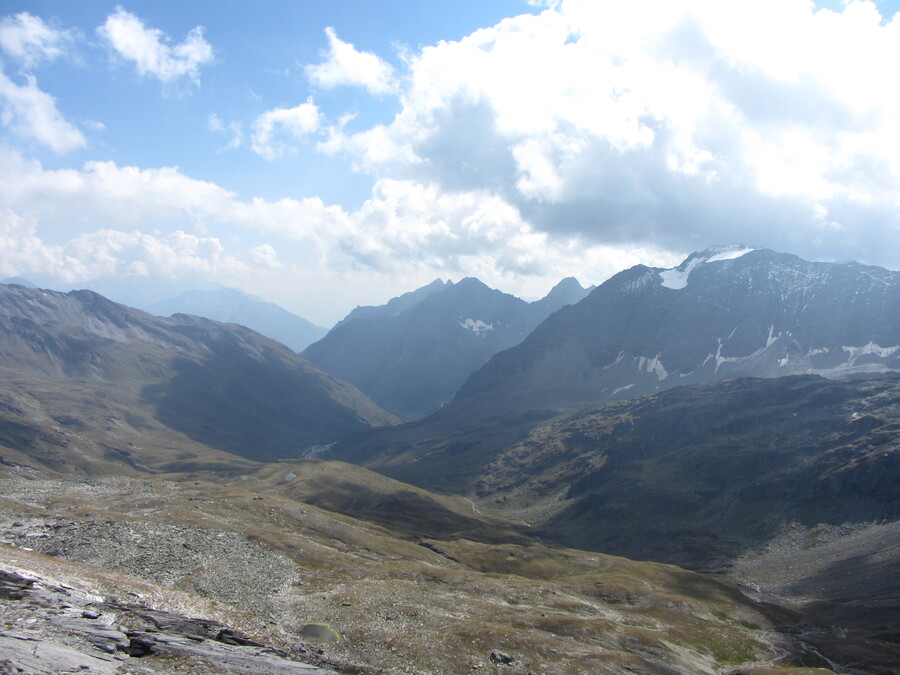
(32, 113)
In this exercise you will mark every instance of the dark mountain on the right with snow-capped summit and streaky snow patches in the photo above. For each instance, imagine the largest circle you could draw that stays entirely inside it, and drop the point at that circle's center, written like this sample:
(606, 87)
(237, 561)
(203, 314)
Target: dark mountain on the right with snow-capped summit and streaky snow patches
(726, 312)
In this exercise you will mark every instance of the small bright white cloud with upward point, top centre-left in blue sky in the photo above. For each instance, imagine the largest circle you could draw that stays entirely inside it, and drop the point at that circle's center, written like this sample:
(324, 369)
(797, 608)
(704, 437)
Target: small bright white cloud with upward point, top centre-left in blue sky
(346, 66)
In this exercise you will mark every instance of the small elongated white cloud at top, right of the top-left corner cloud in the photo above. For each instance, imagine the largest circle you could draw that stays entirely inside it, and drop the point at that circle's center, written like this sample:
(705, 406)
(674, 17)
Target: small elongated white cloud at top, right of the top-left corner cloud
(149, 50)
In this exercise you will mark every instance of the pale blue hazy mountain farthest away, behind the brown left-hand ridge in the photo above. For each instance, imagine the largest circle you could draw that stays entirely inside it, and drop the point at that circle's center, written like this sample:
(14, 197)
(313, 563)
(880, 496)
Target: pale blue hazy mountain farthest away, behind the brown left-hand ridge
(233, 306)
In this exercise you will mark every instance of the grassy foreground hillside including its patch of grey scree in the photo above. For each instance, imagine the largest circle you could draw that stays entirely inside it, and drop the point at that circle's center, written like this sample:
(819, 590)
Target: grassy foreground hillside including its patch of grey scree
(281, 571)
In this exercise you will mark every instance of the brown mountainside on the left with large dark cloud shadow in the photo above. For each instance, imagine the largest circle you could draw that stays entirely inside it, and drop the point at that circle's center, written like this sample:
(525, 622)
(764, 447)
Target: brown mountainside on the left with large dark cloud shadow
(77, 366)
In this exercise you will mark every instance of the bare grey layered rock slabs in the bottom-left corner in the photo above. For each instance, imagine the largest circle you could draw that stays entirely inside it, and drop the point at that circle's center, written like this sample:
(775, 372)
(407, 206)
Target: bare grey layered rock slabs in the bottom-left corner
(59, 620)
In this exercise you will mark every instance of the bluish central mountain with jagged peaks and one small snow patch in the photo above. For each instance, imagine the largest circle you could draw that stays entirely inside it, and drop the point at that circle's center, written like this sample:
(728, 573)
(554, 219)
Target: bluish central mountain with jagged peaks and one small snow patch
(412, 354)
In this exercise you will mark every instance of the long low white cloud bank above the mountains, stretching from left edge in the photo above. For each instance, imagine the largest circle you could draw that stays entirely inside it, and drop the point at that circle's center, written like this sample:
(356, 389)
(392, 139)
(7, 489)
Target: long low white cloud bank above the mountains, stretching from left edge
(156, 223)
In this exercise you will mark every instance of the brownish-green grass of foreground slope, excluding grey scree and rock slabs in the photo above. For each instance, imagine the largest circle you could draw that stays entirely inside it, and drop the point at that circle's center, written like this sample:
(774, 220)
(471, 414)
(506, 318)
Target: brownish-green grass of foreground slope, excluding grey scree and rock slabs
(436, 606)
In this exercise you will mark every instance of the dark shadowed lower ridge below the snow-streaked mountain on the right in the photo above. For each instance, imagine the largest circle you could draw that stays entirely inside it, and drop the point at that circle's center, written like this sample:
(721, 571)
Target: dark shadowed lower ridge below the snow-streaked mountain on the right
(694, 475)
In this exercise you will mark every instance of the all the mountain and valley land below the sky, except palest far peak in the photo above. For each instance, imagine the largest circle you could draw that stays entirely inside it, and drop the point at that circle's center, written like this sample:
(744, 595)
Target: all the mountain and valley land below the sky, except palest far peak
(691, 470)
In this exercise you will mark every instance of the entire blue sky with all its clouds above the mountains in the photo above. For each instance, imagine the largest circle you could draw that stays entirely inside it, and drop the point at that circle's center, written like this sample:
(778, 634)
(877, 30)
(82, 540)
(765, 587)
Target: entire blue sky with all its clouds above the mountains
(323, 155)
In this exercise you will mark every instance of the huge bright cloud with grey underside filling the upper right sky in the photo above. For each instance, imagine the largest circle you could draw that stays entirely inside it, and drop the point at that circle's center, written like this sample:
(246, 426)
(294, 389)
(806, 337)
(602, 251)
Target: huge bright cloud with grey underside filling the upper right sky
(673, 125)
